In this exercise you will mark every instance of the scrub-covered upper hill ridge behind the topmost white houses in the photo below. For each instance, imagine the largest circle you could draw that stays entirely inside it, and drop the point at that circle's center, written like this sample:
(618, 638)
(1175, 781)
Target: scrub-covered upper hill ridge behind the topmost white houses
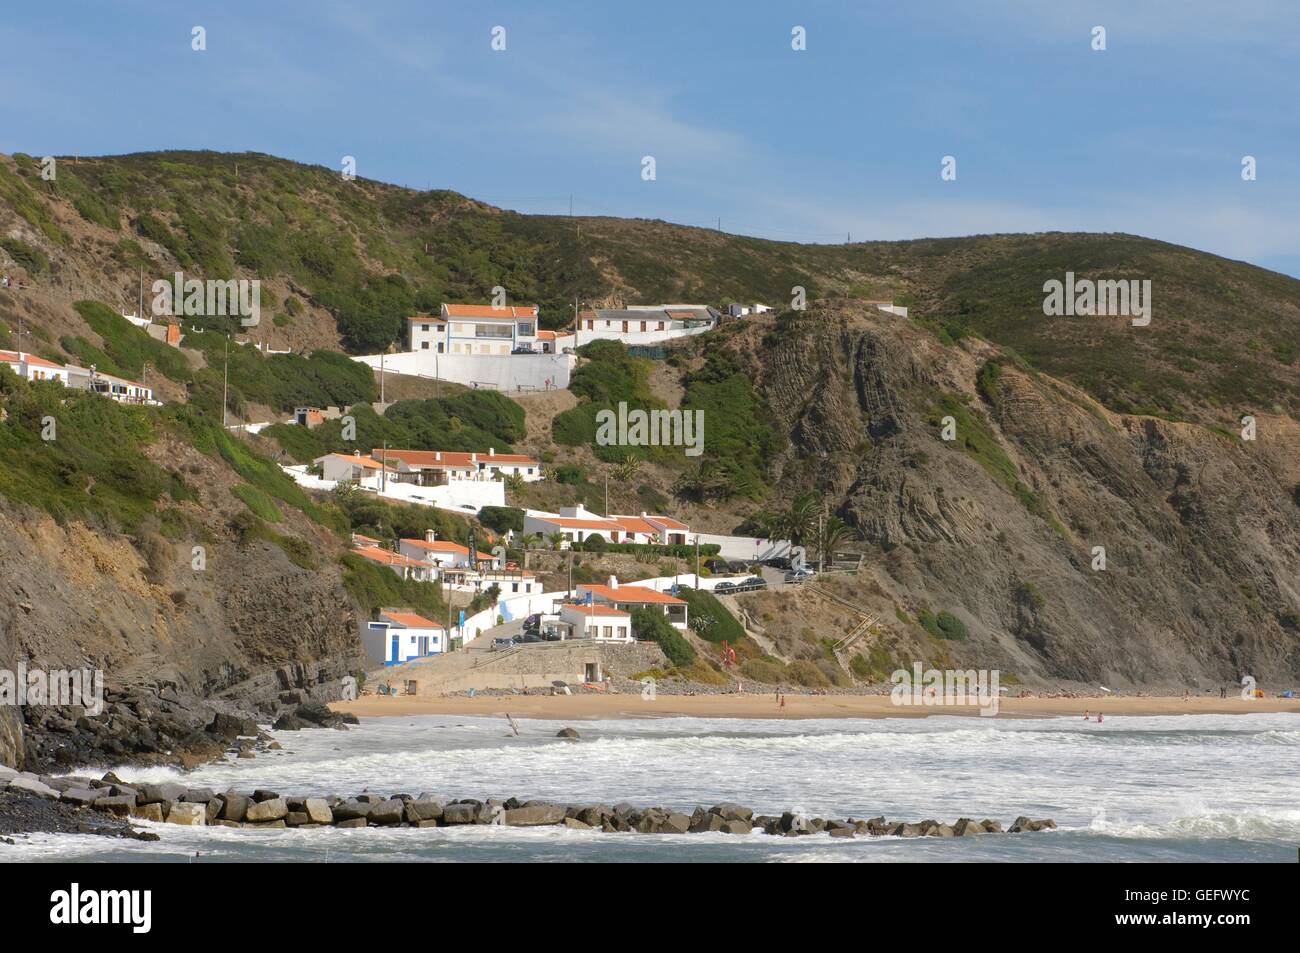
(344, 262)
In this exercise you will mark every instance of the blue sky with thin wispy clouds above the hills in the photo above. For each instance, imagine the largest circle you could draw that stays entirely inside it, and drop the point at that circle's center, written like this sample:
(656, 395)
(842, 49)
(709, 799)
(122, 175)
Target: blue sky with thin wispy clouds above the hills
(846, 137)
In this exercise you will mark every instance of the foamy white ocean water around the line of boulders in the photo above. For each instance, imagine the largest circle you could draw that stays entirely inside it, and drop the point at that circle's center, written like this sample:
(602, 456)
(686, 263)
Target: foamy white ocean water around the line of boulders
(1176, 789)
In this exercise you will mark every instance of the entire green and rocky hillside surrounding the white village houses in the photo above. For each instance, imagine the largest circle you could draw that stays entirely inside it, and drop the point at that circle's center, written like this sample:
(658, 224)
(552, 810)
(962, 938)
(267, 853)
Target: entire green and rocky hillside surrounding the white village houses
(1072, 432)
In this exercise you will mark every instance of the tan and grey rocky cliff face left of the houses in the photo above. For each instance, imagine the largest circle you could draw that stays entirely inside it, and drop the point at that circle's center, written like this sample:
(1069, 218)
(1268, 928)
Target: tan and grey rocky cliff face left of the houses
(248, 627)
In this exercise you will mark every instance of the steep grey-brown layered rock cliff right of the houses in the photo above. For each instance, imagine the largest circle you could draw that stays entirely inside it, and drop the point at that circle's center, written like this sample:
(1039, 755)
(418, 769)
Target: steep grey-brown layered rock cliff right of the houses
(1201, 531)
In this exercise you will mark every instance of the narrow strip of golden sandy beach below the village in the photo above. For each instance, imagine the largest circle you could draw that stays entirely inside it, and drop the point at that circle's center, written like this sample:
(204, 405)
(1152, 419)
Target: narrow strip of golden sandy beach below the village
(591, 707)
